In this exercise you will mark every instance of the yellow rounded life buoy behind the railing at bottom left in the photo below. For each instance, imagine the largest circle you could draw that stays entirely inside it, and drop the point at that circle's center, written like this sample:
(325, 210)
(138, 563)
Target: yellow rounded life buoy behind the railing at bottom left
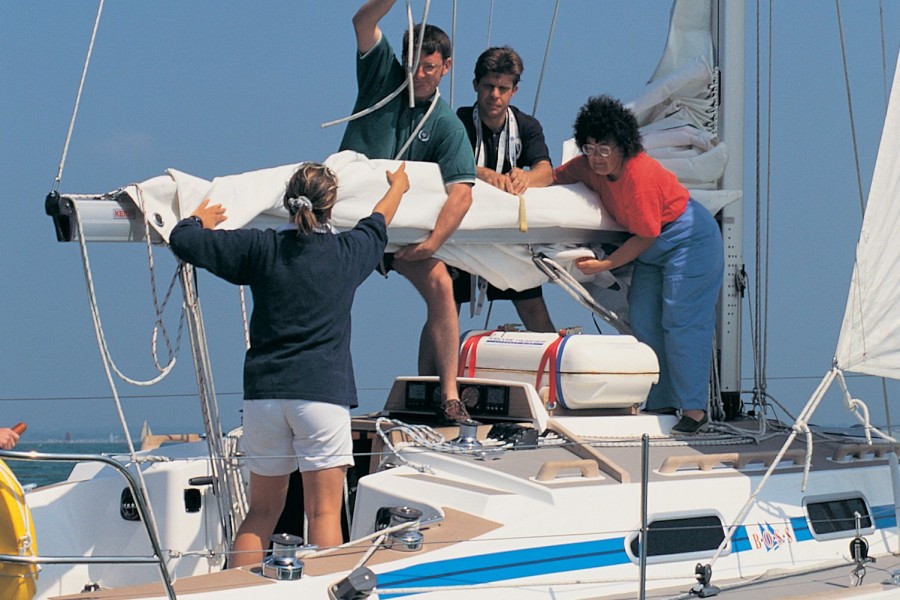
(17, 581)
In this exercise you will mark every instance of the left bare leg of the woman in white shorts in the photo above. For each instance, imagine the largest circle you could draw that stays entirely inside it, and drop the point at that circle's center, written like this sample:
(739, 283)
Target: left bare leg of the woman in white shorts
(267, 494)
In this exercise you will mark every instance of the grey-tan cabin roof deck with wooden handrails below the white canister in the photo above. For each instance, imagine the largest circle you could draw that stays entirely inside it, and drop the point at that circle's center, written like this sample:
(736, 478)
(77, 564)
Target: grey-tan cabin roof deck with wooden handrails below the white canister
(735, 448)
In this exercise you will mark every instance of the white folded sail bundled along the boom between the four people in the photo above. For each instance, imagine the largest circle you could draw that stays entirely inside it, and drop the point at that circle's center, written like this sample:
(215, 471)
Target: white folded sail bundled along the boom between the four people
(489, 241)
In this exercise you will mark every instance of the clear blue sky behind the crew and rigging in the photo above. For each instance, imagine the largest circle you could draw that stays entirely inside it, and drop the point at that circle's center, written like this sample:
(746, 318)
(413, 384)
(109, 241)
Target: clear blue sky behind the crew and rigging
(215, 88)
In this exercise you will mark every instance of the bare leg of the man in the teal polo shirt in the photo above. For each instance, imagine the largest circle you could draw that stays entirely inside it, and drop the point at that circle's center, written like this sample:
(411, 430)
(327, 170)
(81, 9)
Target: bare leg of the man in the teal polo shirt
(431, 279)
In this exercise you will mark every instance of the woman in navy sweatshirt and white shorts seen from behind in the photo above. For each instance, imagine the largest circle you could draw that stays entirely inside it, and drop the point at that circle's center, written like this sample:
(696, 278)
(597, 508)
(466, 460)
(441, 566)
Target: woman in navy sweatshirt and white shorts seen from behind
(298, 374)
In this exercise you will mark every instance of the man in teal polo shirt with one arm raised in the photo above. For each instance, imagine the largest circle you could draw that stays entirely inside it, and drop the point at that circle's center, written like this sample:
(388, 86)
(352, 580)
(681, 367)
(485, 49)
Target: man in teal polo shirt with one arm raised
(396, 131)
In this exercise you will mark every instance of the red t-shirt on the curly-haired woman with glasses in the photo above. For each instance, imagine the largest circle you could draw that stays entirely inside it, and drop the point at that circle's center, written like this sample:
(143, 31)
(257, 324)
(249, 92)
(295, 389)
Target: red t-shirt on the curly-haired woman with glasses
(646, 196)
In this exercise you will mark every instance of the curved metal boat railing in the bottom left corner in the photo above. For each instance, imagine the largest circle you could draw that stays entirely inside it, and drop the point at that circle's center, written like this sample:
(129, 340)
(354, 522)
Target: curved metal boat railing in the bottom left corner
(137, 494)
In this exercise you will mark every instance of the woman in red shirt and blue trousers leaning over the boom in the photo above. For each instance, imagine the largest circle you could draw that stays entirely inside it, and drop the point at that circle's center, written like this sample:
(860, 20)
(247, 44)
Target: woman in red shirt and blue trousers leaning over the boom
(676, 247)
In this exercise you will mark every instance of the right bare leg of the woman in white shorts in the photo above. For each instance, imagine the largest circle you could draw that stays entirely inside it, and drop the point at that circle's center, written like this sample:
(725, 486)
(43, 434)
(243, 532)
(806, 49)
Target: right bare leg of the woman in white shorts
(322, 498)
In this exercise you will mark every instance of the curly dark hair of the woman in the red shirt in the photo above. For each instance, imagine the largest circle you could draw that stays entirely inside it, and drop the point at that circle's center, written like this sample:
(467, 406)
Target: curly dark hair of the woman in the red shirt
(606, 120)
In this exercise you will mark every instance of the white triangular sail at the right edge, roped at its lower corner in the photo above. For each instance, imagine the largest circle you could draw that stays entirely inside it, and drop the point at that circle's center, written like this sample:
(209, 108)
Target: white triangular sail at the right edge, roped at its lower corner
(870, 335)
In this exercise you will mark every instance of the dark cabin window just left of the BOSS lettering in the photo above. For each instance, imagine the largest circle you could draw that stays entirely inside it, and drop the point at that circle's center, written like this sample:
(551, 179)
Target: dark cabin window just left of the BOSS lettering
(685, 535)
